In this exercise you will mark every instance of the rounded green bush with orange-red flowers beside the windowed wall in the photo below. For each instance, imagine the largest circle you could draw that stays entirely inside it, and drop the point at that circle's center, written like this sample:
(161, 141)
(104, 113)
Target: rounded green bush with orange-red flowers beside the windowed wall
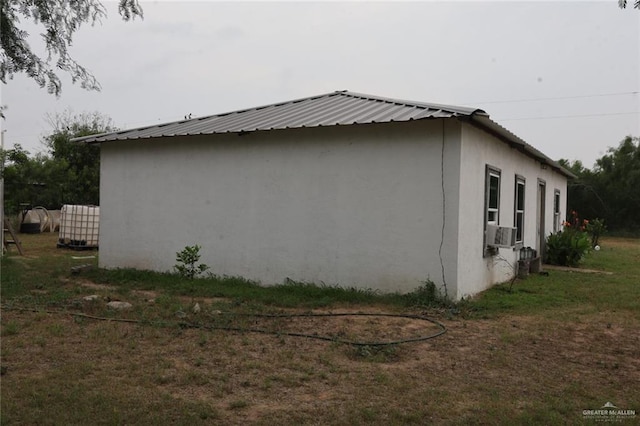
(568, 246)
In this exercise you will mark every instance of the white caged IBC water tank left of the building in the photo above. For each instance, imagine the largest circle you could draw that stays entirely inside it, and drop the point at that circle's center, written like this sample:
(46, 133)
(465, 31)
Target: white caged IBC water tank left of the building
(79, 226)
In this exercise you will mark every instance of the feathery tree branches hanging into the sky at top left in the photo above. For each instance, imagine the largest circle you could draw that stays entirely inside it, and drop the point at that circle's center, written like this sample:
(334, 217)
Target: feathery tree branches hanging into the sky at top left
(60, 19)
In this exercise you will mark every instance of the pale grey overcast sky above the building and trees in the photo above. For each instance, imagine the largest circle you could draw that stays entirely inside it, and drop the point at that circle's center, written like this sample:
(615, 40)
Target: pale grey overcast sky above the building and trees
(564, 76)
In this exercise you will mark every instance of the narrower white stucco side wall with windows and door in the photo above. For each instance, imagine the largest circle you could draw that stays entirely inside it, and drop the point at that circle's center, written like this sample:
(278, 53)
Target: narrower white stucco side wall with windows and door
(479, 149)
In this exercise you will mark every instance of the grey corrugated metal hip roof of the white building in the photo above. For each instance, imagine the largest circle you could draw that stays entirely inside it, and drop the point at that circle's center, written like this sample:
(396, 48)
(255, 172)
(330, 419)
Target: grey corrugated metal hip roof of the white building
(339, 108)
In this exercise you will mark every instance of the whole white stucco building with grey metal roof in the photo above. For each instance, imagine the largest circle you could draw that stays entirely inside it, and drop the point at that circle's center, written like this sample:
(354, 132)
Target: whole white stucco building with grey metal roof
(341, 188)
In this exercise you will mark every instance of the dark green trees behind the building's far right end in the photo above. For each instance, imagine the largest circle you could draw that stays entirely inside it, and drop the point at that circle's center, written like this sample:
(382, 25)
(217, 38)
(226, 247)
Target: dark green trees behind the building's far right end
(611, 189)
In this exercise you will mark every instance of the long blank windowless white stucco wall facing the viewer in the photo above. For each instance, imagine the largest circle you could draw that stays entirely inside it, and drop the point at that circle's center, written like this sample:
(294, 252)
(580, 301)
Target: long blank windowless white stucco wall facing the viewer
(355, 205)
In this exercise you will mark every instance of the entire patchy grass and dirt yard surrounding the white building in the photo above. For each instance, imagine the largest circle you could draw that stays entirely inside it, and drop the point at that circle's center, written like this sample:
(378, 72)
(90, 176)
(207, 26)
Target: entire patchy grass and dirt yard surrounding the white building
(541, 353)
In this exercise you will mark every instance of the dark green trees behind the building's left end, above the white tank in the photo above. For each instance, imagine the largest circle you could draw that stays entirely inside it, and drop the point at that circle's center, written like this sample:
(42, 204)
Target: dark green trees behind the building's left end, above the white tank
(68, 173)
